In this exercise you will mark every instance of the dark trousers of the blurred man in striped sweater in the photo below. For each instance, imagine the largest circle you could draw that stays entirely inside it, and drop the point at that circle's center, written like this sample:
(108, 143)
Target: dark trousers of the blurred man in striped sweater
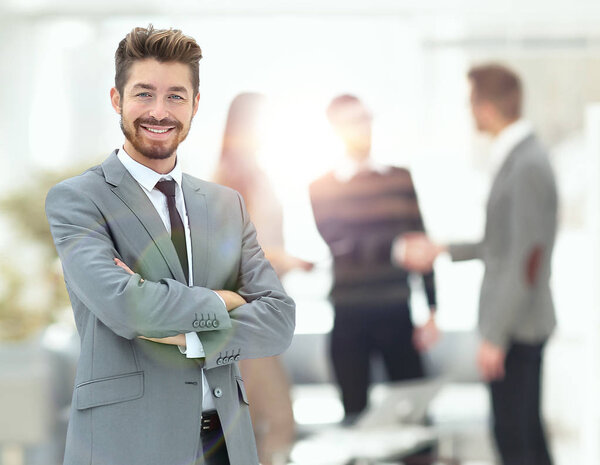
(359, 333)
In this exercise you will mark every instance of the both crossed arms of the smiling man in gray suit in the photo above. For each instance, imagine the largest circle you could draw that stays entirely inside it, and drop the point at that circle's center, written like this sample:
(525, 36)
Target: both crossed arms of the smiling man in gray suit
(165, 307)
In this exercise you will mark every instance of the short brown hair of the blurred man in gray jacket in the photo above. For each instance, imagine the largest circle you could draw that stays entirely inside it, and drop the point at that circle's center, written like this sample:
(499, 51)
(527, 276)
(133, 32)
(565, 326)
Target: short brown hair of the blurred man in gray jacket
(500, 86)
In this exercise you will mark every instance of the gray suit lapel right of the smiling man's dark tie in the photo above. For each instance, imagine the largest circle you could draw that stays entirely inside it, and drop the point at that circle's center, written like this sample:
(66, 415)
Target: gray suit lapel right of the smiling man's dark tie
(197, 211)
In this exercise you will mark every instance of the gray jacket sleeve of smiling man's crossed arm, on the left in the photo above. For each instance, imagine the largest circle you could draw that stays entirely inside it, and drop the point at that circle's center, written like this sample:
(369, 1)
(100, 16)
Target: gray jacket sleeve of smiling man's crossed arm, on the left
(128, 306)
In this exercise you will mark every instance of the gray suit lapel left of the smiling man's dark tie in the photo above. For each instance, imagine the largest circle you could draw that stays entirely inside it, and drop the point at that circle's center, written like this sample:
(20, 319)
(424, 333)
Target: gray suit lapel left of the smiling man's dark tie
(132, 195)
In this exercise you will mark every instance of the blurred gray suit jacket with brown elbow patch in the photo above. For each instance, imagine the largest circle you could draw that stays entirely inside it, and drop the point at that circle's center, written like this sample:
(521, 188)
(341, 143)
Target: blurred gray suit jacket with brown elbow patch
(515, 301)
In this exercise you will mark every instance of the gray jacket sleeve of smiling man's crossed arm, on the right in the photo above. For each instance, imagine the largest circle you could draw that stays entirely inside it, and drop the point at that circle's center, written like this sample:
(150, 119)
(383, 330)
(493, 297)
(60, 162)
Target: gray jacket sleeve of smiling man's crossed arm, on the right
(263, 327)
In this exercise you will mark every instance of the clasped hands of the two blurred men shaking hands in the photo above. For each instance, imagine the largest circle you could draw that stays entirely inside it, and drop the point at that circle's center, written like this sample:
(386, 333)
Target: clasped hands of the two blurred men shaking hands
(414, 251)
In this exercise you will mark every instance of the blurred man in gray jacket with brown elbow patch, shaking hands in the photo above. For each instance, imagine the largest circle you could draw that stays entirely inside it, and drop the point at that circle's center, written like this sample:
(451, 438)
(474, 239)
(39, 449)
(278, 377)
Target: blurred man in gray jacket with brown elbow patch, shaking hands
(516, 312)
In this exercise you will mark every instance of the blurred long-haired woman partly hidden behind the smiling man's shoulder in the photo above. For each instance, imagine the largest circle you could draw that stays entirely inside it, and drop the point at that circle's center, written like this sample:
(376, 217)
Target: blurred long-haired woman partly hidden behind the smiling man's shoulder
(238, 168)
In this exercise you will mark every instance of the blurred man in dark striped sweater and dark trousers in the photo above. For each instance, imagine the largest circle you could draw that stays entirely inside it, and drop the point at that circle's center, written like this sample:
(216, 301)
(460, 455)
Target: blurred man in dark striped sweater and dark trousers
(360, 209)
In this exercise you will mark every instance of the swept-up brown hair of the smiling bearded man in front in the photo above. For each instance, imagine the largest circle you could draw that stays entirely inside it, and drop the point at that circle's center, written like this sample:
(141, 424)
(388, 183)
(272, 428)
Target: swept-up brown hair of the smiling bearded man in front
(164, 45)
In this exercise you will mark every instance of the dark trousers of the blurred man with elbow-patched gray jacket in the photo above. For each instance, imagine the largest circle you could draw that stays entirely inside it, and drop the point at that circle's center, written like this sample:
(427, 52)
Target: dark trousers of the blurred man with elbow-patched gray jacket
(517, 427)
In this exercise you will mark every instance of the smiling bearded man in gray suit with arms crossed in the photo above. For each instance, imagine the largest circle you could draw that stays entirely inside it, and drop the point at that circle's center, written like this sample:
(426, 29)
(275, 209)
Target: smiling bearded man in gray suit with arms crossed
(168, 284)
